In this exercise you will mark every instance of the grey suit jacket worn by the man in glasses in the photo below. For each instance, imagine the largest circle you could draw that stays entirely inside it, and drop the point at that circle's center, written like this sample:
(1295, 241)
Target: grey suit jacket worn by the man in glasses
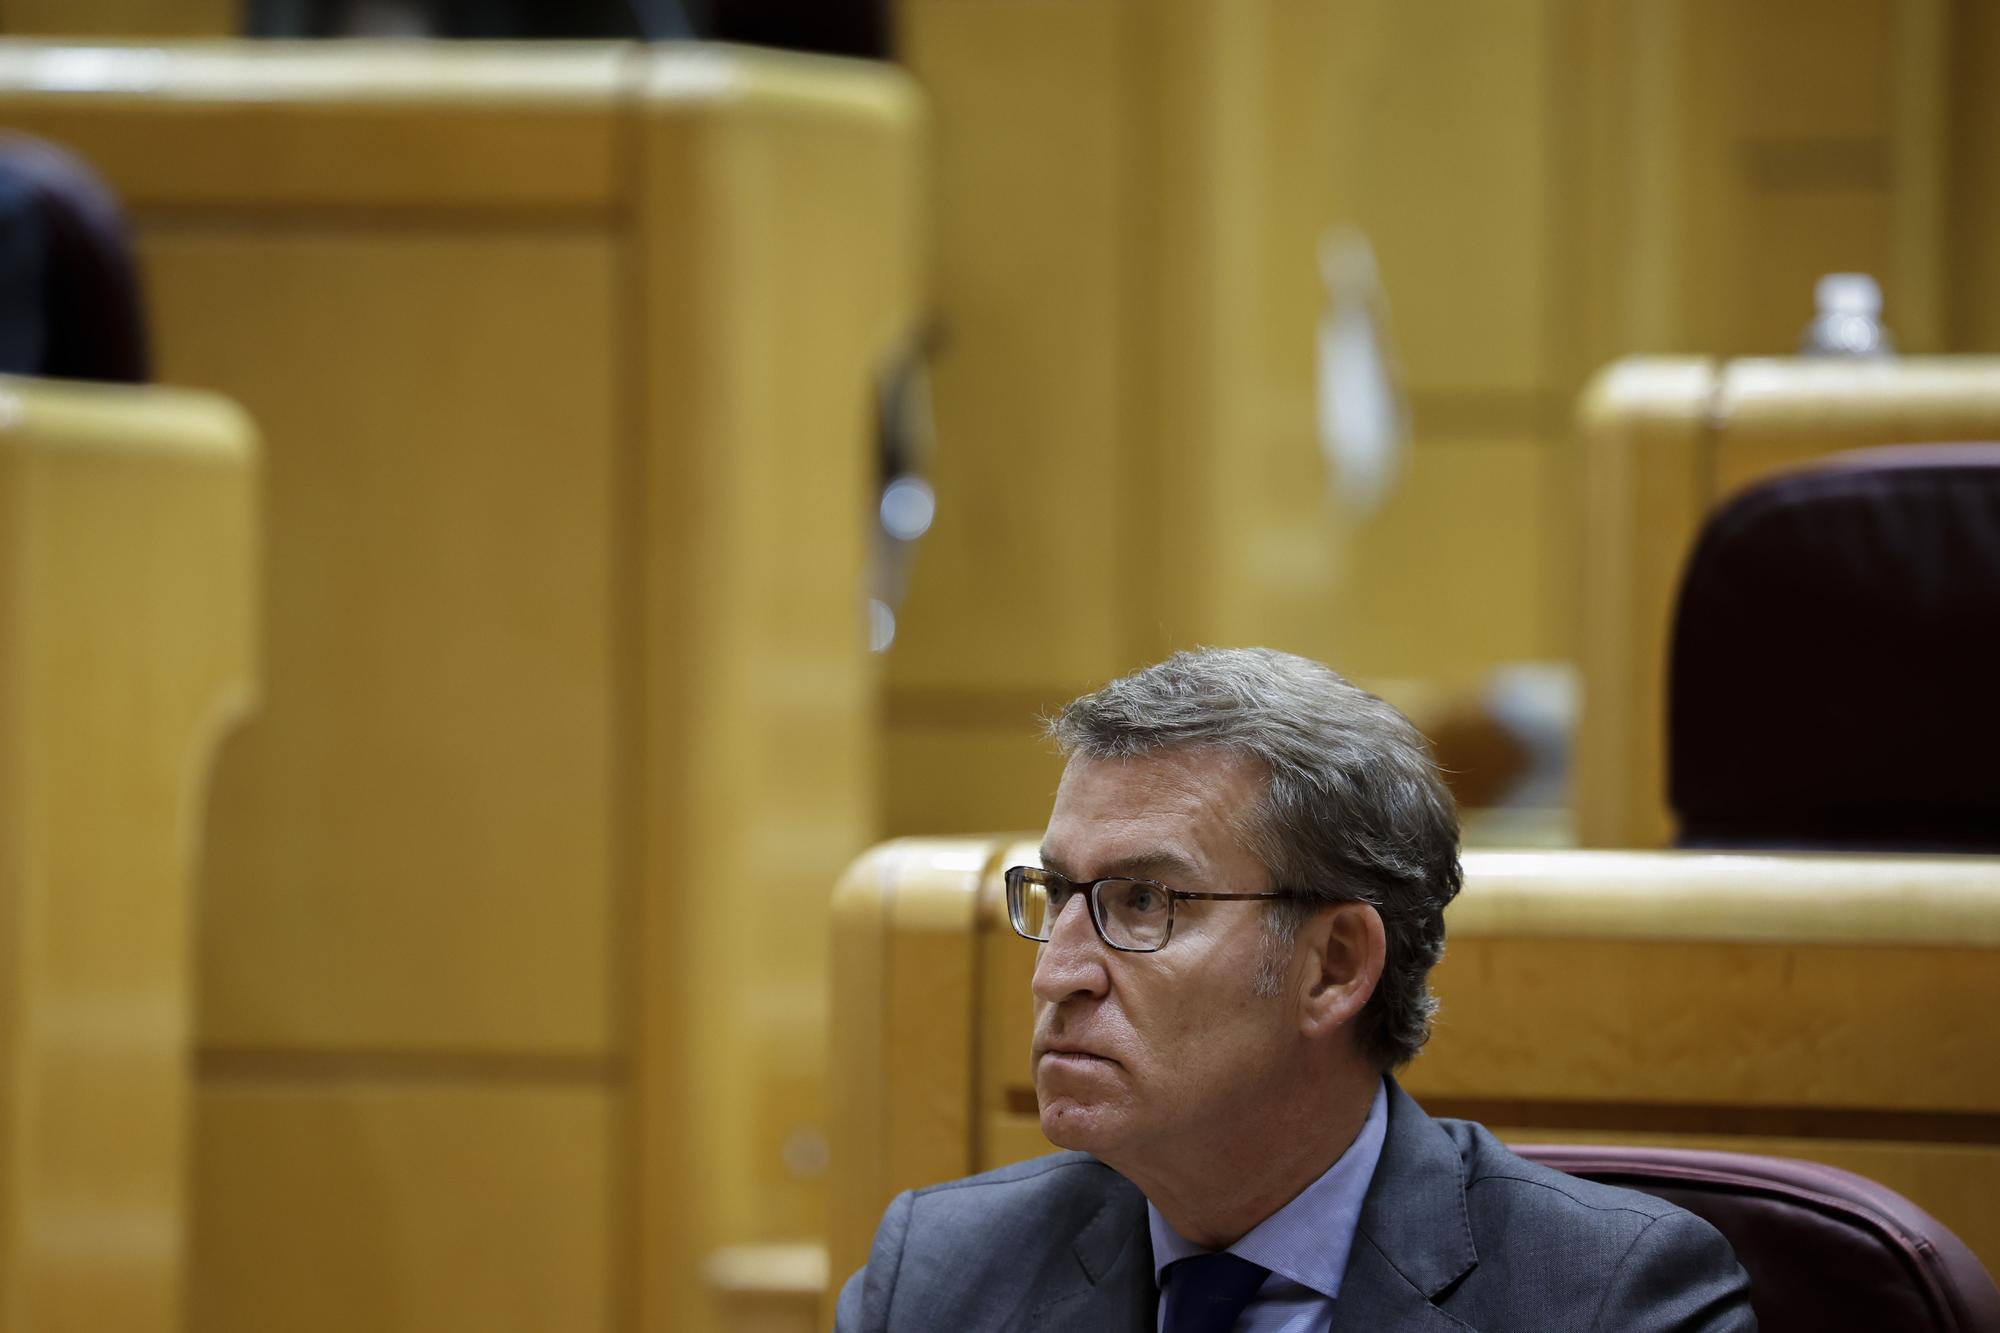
(1457, 1234)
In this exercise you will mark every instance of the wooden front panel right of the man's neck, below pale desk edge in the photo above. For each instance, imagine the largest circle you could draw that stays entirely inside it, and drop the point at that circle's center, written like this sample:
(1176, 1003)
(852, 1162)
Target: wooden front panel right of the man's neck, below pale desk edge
(1713, 1024)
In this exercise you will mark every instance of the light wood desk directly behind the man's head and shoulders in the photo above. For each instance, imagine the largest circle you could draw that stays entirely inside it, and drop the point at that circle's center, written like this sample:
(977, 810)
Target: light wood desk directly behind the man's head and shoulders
(1795, 1006)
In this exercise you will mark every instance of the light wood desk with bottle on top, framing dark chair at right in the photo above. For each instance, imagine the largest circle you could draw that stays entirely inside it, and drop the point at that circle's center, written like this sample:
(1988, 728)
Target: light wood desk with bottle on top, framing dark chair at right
(1667, 441)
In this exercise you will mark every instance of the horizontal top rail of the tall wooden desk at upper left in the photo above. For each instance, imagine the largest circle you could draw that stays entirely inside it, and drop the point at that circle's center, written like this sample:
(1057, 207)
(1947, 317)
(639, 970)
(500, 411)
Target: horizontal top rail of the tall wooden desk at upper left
(345, 127)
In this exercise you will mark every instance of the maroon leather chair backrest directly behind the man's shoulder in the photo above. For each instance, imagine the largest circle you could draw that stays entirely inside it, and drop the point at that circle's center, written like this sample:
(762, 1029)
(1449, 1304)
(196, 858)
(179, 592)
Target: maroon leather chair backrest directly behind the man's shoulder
(1827, 1250)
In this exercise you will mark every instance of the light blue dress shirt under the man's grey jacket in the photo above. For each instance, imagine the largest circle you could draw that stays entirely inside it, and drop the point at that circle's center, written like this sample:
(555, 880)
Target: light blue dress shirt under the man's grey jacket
(1305, 1244)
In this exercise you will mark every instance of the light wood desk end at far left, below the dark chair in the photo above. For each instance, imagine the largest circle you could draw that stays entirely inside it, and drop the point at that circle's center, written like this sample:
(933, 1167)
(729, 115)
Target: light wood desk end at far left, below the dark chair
(127, 651)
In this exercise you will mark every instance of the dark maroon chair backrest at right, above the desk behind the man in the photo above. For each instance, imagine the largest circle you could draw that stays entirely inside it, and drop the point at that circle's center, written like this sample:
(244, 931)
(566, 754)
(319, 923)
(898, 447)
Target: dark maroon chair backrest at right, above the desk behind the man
(1833, 659)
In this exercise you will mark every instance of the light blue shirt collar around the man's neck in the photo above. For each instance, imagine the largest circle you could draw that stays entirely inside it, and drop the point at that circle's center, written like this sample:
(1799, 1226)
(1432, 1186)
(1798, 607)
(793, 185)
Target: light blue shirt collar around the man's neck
(1307, 1240)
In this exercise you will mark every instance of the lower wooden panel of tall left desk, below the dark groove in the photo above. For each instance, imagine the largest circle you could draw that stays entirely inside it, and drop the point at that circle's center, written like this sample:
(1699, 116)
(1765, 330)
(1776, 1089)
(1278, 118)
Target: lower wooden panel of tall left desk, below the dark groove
(433, 1208)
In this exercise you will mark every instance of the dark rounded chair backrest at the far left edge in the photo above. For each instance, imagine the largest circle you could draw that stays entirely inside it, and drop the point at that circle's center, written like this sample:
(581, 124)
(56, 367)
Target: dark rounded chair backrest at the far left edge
(69, 285)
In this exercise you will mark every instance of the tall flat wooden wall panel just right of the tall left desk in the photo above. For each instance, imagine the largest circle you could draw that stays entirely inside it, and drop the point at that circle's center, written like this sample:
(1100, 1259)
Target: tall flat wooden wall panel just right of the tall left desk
(1031, 291)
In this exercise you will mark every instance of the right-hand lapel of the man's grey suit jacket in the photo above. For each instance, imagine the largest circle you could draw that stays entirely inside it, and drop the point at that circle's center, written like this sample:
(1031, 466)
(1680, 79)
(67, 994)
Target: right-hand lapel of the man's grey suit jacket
(1413, 1238)
